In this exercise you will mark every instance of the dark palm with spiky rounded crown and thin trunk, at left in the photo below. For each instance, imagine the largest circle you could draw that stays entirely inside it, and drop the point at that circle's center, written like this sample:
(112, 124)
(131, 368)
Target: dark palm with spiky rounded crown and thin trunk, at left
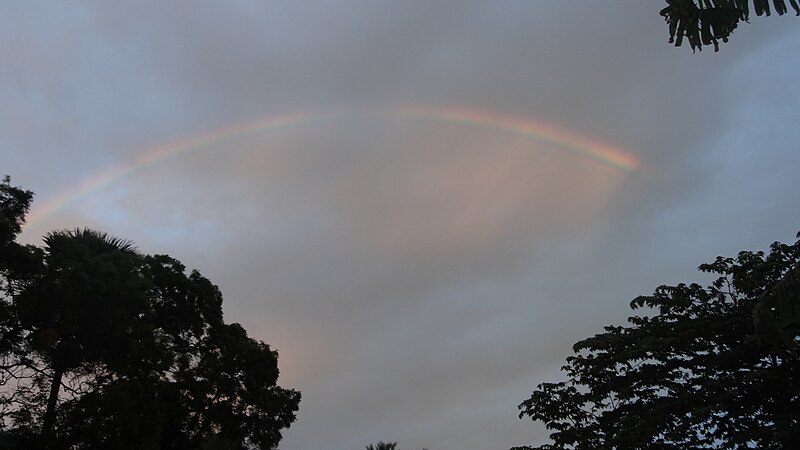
(78, 309)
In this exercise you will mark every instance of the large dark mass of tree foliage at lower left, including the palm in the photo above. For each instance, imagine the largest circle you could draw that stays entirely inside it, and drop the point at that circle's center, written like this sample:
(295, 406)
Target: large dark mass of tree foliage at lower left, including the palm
(104, 347)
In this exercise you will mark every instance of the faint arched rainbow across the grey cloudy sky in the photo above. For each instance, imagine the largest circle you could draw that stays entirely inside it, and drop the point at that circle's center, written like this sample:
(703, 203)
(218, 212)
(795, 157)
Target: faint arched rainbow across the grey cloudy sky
(472, 118)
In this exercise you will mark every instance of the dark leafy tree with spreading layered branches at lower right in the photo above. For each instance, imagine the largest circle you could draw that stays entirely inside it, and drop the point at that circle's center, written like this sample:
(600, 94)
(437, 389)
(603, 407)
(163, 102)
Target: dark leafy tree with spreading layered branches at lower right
(709, 367)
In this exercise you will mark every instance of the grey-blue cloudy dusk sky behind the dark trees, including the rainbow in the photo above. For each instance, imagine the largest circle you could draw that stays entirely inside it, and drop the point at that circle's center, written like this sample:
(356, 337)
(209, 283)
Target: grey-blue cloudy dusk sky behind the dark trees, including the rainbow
(421, 205)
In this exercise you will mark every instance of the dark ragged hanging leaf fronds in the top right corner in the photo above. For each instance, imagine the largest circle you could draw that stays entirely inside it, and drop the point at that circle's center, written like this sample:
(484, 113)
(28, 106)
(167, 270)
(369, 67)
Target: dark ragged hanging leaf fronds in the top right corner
(706, 22)
